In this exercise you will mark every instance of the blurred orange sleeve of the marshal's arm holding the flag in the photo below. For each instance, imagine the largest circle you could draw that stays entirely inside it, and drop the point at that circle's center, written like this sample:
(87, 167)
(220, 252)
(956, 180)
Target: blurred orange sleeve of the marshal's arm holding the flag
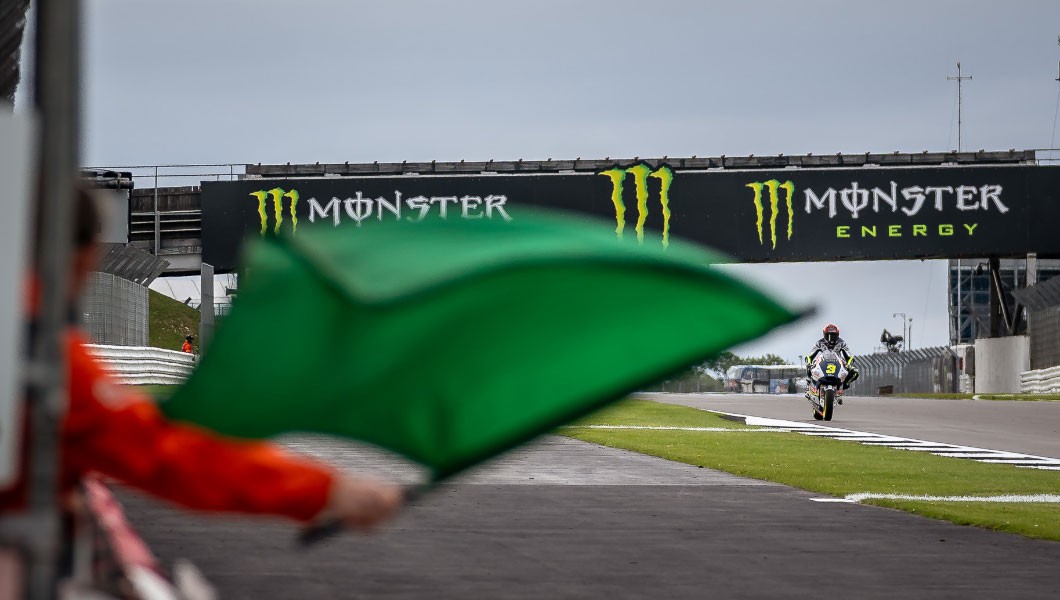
(117, 432)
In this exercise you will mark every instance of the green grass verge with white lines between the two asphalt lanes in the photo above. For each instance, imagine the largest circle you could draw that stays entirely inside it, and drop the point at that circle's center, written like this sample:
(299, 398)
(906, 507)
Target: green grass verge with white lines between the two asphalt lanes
(834, 468)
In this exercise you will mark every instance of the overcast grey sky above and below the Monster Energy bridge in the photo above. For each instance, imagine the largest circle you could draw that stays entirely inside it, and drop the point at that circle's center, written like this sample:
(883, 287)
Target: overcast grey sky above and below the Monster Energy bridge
(351, 81)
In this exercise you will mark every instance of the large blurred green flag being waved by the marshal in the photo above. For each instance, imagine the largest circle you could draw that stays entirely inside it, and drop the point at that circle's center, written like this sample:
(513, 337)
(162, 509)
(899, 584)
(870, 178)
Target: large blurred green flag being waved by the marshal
(452, 342)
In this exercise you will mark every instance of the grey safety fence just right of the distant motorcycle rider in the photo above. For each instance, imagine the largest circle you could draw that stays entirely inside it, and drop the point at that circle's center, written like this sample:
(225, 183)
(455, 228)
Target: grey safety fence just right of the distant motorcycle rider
(924, 370)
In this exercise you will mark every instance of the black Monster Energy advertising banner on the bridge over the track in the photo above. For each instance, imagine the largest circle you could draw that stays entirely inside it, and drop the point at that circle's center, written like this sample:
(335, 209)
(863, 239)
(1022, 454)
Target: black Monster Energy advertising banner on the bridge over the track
(780, 216)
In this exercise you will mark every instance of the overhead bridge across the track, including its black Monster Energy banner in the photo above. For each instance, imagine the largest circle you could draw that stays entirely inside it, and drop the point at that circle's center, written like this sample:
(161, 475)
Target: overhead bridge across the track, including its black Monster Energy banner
(985, 206)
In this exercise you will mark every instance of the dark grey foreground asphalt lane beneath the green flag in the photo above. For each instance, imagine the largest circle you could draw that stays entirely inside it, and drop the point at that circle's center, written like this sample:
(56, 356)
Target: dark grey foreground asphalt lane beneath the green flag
(563, 519)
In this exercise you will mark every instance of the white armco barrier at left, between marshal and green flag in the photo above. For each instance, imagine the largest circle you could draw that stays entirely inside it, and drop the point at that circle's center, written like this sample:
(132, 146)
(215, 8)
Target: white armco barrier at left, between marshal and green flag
(139, 366)
